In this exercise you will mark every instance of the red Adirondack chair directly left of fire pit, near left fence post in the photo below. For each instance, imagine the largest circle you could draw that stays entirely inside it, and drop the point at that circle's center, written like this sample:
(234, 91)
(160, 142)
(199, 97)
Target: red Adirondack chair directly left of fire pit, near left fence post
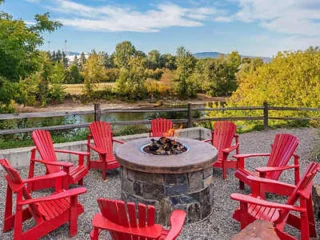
(103, 145)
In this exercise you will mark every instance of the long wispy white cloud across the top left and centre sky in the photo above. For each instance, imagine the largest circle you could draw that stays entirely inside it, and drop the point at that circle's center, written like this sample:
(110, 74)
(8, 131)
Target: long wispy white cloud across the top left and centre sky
(114, 18)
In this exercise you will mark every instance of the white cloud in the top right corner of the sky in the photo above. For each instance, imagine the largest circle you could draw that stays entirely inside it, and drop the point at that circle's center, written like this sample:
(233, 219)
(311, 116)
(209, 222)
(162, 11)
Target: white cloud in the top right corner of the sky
(284, 16)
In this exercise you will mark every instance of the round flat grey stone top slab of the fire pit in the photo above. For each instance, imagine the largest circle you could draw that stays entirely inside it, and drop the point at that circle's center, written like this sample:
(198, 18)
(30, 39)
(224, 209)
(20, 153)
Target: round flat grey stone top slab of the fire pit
(200, 155)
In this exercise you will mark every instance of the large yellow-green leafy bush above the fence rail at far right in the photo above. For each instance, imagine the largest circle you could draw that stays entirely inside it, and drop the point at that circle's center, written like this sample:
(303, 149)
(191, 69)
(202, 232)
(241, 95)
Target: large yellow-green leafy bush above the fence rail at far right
(290, 79)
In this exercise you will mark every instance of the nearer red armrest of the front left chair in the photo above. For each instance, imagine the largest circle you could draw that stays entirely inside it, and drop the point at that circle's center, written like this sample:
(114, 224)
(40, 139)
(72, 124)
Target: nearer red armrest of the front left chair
(65, 194)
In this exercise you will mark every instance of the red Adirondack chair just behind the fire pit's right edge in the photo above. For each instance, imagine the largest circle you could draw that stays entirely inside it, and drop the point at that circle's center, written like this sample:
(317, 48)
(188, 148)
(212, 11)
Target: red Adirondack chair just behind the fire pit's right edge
(222, 136)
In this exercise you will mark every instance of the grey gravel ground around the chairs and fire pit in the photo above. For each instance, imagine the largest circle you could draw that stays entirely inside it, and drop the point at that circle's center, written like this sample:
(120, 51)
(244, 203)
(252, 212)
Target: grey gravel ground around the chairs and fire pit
(220, 225)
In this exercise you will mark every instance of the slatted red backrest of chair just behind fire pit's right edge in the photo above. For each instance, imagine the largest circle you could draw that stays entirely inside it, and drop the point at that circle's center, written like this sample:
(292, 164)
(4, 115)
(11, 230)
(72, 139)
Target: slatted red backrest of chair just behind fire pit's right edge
(223, 134)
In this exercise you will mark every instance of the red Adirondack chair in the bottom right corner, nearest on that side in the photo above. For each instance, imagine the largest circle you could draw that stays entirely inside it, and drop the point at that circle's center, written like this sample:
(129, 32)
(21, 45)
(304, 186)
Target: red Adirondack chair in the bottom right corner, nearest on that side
(253, 206)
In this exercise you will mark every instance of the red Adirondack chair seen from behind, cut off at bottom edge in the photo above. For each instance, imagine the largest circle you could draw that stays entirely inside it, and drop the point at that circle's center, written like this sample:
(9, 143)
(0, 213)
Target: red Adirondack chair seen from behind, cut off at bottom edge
(123, 224)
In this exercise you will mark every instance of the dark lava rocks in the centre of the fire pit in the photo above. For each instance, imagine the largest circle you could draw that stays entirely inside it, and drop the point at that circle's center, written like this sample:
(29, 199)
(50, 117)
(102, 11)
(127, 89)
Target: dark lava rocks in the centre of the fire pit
(164, 146)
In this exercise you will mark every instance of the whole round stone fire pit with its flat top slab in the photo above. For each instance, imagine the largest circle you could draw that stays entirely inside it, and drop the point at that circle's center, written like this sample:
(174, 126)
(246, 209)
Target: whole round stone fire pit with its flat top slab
(182, 181)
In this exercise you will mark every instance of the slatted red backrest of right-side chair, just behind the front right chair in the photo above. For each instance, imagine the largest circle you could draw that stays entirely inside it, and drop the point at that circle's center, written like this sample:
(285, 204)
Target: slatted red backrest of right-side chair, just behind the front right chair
(283, 148)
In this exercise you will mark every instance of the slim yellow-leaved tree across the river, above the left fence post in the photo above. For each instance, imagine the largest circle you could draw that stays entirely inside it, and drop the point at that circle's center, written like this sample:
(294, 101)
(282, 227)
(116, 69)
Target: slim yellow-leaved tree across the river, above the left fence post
(93, 73)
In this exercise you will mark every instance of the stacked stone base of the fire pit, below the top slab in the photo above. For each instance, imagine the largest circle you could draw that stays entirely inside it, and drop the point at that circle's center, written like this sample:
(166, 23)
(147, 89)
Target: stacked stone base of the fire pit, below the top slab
(192, 192)
